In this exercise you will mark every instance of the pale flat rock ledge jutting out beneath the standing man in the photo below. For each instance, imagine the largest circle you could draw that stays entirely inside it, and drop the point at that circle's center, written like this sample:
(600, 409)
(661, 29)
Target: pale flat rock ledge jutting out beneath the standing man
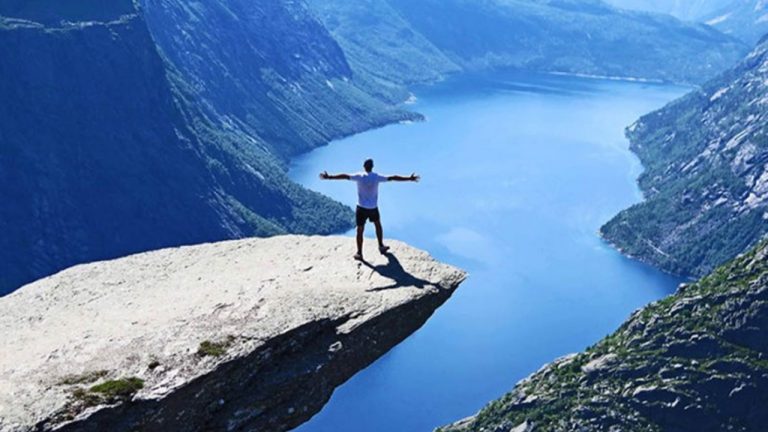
(241, 335)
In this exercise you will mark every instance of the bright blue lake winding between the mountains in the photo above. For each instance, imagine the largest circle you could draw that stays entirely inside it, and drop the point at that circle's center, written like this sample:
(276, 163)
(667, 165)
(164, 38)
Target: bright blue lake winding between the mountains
(518, 173)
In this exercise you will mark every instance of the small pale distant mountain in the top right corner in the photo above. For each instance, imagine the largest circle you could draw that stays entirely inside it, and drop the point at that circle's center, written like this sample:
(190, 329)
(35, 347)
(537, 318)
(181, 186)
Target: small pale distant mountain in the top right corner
(744, 19)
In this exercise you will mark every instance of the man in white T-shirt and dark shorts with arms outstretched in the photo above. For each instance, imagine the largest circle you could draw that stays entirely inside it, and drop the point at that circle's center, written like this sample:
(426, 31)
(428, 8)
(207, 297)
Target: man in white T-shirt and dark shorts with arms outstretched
(367, 201)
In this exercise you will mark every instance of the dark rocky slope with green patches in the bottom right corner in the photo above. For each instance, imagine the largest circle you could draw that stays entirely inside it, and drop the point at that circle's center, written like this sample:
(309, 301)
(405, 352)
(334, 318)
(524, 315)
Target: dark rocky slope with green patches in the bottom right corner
(695, 361)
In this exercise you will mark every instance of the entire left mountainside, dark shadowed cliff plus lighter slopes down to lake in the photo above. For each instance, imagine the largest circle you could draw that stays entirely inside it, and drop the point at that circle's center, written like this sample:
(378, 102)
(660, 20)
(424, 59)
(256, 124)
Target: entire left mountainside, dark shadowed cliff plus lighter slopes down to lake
(125, 129)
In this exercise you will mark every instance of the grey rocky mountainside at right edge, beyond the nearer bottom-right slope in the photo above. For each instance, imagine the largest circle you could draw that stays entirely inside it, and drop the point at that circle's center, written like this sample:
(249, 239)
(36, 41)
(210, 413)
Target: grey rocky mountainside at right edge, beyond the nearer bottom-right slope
(706, 174)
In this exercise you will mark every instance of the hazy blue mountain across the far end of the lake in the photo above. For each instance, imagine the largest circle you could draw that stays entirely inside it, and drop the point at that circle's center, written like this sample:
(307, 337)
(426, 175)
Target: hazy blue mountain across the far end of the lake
(566, 36)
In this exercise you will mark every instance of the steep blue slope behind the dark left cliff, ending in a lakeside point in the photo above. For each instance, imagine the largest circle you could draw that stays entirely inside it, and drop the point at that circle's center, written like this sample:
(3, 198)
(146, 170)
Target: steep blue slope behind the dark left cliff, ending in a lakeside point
(271, 68)
